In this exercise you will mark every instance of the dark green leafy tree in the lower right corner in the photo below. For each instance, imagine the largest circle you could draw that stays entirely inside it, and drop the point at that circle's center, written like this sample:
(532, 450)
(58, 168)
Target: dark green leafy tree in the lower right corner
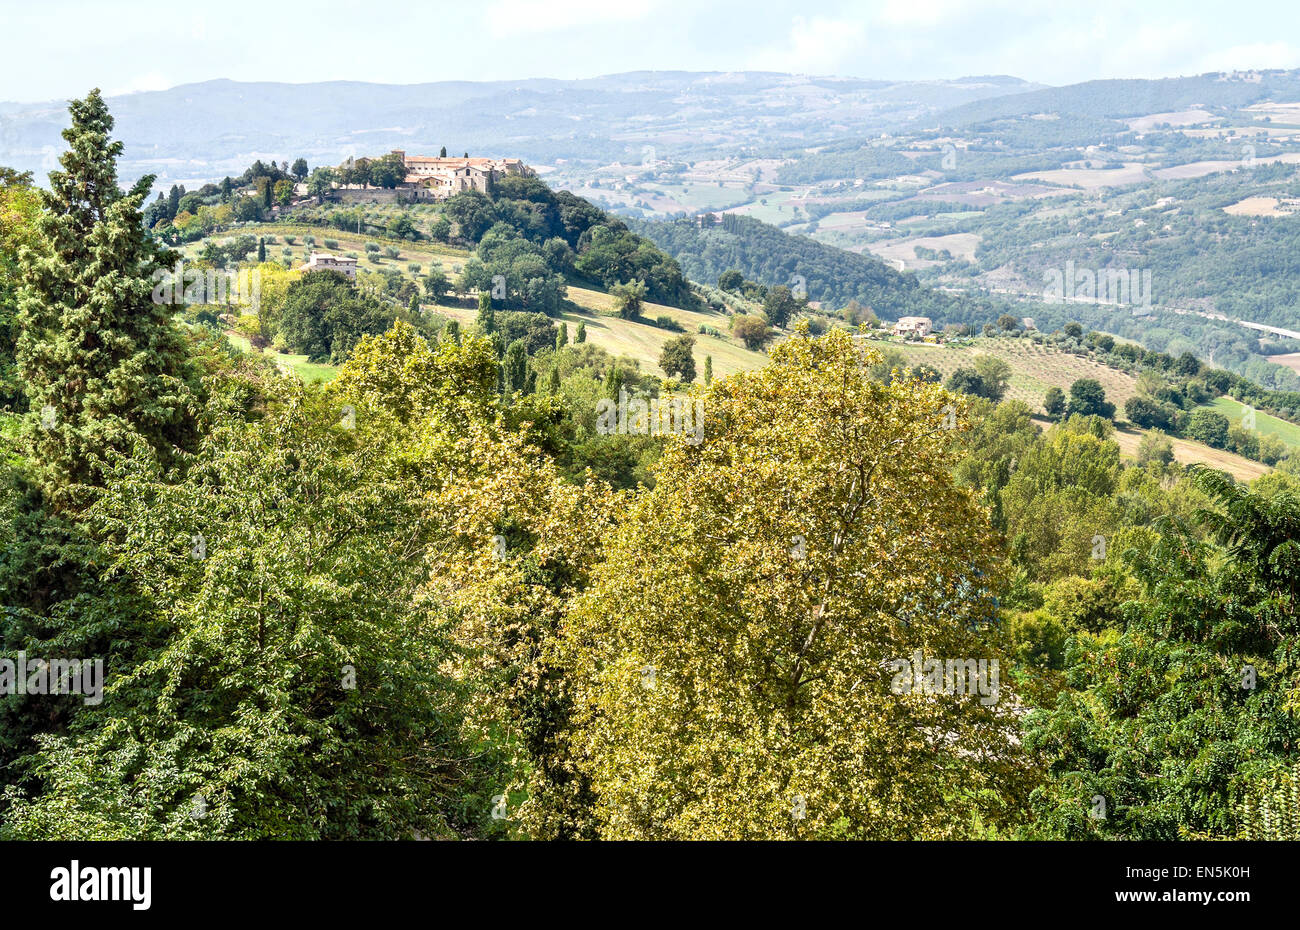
(1160, 711)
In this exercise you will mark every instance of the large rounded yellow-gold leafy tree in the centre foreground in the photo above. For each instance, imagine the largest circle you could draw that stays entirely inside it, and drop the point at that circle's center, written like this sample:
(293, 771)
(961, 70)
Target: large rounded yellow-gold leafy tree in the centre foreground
(731, 659)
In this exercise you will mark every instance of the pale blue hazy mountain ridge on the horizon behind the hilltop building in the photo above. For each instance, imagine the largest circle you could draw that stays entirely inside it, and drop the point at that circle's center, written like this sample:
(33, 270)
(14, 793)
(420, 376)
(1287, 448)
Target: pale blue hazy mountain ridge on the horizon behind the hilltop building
(203, 132)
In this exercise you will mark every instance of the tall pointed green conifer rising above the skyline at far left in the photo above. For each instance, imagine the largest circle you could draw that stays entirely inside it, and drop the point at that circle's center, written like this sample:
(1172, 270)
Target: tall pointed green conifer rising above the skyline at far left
(103, 364)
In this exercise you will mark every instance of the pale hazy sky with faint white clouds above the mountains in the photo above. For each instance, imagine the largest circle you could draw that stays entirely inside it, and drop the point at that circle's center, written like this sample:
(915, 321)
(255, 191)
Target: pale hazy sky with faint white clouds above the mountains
(57, 50)
